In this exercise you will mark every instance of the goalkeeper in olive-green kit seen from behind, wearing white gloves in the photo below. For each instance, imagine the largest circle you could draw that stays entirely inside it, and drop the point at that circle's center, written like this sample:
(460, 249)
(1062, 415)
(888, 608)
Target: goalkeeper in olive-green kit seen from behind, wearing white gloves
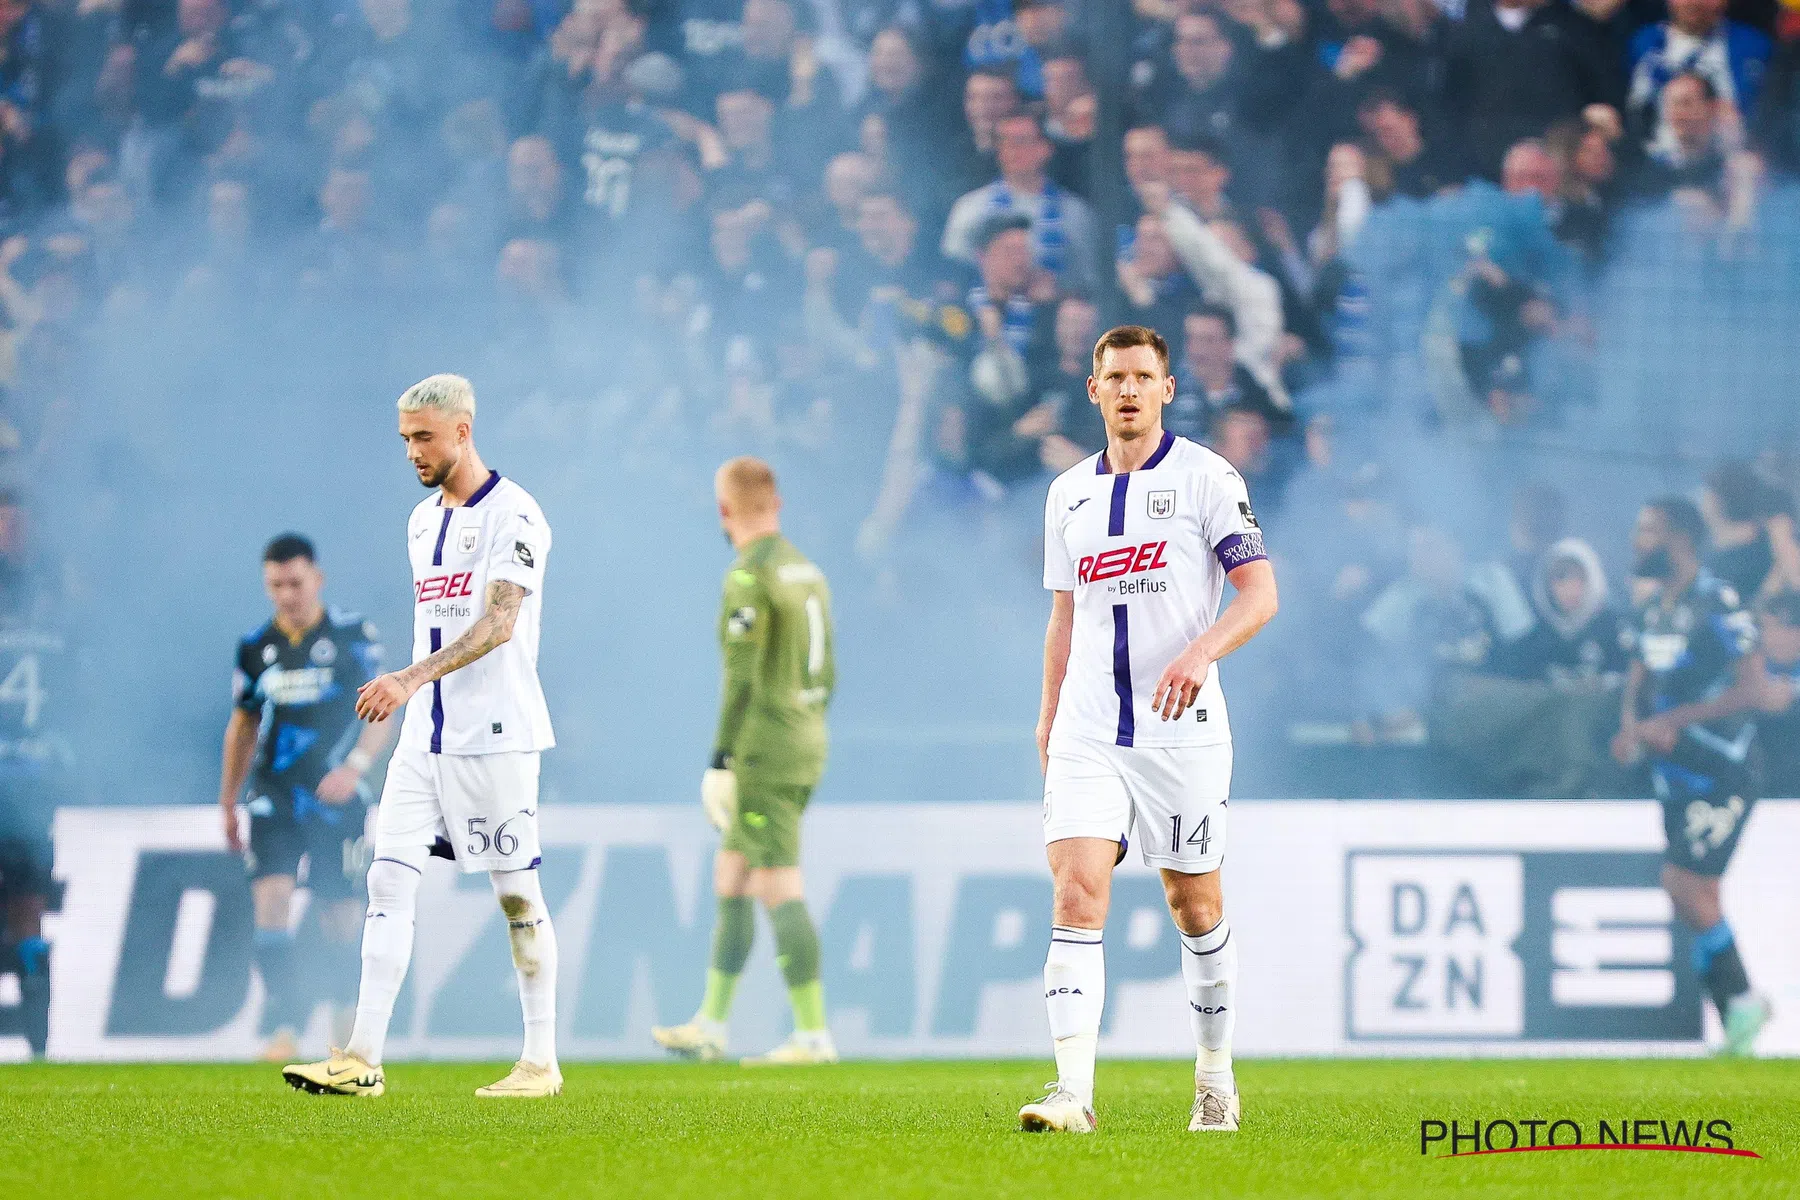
(768, 758)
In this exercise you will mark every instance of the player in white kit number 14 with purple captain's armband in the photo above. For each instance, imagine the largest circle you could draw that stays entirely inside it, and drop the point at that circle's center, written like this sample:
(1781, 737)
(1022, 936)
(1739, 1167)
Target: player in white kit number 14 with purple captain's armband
(1133, 733)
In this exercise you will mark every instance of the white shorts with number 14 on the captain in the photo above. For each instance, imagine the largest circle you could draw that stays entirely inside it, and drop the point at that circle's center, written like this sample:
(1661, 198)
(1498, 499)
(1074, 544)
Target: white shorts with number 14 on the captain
(1171, 801)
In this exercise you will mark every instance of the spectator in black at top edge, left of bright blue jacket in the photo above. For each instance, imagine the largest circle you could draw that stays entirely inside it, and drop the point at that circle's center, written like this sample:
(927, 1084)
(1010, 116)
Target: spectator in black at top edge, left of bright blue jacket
(1515, 69)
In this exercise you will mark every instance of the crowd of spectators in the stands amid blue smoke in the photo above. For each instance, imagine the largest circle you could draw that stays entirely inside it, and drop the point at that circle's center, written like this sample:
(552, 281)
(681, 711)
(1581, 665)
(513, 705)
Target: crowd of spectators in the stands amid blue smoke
(888, 233)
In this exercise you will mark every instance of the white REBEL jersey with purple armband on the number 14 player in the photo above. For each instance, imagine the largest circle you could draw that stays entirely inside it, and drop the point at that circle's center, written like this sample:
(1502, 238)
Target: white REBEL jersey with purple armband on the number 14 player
(1147, 557)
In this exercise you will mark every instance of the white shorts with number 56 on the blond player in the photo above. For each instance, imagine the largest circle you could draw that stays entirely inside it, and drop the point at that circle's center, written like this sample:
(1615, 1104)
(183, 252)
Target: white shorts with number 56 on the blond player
(485, 805)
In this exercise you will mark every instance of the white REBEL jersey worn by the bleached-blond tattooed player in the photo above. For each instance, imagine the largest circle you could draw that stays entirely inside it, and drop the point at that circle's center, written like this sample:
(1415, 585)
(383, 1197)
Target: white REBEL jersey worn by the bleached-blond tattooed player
(496, 703)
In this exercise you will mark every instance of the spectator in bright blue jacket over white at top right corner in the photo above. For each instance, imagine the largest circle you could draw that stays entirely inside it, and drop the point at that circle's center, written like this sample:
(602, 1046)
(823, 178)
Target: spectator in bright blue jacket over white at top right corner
(1696, 40)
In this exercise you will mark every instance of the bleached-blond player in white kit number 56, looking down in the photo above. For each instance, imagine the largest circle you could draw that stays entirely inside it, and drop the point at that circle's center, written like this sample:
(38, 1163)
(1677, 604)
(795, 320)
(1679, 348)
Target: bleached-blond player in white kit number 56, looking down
(463, 782)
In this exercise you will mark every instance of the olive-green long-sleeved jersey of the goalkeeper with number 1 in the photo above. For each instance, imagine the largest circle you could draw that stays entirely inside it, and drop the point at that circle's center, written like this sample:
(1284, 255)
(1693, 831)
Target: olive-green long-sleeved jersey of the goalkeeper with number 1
(777, 632)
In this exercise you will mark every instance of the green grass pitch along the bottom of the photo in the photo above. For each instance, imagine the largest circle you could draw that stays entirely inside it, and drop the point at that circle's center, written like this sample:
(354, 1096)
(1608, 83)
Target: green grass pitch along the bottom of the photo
(1311, 1129)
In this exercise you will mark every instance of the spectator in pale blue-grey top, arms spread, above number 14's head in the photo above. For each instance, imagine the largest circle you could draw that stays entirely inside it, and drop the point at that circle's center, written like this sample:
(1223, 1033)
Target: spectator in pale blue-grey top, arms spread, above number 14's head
(1063, 228)
